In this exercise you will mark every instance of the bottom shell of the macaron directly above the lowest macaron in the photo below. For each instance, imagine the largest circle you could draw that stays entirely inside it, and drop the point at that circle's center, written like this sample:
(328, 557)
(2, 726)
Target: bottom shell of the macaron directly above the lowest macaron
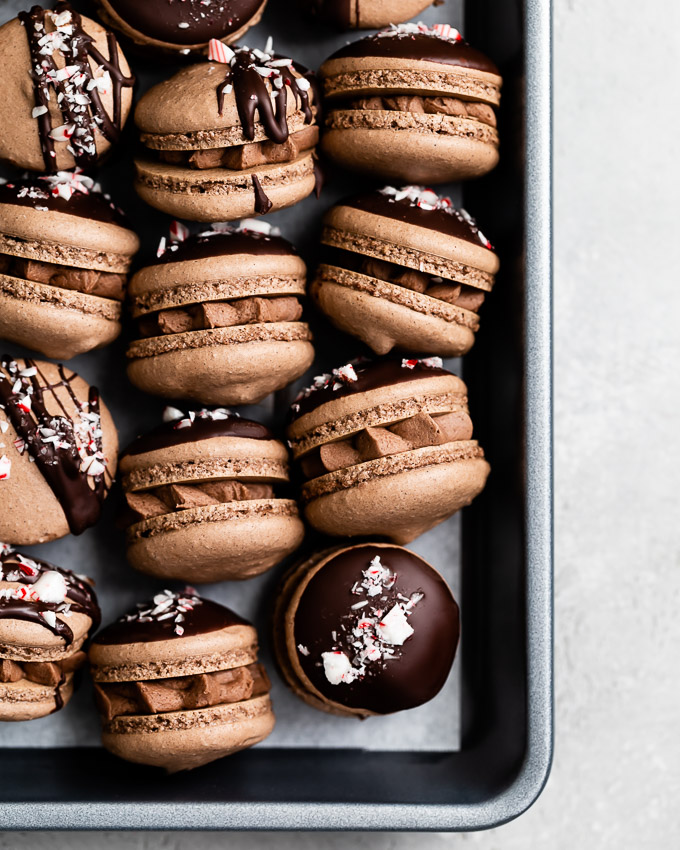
(255, 538)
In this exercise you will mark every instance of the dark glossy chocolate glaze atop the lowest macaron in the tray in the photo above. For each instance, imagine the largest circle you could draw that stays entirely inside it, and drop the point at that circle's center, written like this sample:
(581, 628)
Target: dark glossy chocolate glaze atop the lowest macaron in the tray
(205, 617)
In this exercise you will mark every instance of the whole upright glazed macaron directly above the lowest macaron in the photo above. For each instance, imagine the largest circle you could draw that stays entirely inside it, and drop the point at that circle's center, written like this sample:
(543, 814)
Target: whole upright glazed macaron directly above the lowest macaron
(202, 501)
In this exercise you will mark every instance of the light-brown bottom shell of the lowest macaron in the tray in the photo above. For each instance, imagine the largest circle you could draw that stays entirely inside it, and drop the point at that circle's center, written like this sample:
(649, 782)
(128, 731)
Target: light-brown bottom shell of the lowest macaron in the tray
(183, 740)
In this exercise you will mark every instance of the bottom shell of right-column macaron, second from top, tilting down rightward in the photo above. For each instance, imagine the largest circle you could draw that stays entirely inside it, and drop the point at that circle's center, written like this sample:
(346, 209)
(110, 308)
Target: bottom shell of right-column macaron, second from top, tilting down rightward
(383, 317)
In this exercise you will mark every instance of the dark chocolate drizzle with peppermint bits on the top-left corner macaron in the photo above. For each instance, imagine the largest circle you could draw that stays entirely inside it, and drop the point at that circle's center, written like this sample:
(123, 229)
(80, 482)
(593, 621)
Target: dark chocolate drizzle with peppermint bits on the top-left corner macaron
(76, 91)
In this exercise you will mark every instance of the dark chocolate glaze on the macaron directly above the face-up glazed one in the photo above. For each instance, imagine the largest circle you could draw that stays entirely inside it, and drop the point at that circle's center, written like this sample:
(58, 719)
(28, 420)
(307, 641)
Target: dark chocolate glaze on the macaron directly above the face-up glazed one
(371, 374)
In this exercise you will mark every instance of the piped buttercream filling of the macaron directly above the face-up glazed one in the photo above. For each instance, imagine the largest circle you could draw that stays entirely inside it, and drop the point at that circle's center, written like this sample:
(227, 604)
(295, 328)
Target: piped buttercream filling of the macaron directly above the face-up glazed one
(374, 442)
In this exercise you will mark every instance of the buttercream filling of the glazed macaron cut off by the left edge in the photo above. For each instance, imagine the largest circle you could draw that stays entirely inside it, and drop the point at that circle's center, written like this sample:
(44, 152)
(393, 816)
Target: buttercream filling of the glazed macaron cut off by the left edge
(88, 281)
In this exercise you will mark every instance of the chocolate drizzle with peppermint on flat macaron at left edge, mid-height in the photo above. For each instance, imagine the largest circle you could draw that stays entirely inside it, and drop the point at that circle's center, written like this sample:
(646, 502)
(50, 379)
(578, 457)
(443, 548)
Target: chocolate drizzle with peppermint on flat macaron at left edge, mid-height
(52, 441)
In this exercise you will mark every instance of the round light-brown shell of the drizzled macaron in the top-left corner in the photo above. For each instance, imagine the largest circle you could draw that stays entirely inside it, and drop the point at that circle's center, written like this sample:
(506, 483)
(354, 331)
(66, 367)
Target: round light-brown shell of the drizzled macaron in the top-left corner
(26, 140)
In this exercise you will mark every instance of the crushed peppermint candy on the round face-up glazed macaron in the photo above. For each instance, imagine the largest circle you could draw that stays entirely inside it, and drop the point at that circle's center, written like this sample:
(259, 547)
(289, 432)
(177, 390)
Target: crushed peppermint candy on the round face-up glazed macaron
(372, 630)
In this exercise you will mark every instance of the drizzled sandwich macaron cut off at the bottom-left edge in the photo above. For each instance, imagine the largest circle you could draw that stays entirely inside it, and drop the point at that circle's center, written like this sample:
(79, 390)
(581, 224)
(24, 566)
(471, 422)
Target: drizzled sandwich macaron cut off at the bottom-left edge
(46, 613)
